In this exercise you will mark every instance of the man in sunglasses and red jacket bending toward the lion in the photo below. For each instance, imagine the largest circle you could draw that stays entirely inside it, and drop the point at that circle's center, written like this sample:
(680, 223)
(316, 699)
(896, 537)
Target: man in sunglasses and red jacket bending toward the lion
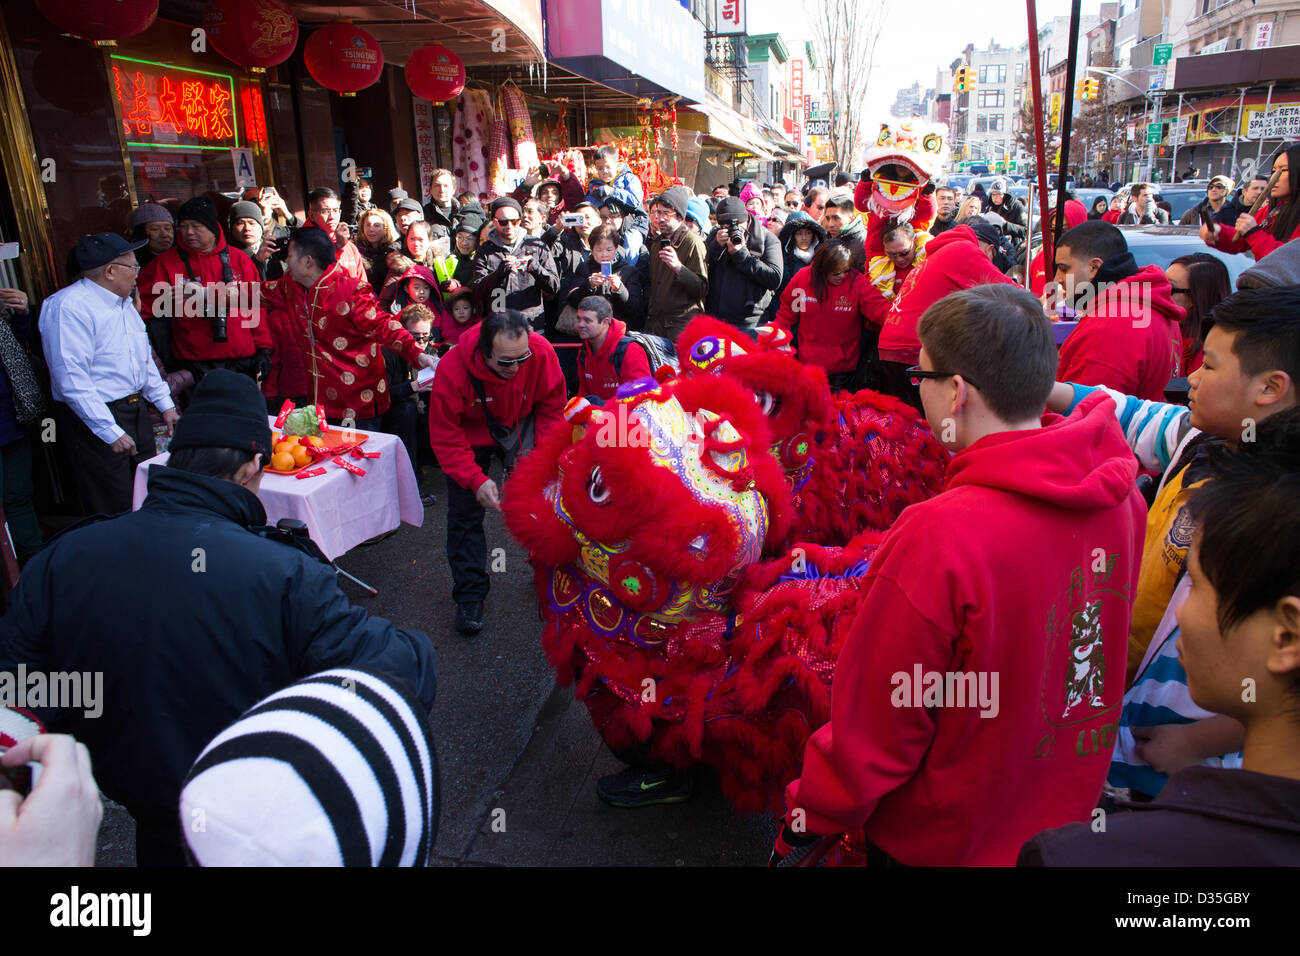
(499, 391)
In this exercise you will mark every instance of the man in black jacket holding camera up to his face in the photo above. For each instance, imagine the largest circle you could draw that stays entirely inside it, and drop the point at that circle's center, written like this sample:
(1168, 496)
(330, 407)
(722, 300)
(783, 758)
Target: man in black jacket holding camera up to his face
(744, 266)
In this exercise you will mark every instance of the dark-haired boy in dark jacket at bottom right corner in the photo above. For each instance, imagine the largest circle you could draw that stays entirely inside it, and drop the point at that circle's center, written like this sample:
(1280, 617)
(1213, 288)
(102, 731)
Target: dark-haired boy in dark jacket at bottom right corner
(1241, 647)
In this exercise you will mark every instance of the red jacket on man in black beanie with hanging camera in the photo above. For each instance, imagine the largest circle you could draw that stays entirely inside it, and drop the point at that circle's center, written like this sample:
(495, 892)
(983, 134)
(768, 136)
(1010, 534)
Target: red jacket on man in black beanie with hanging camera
(192, 336)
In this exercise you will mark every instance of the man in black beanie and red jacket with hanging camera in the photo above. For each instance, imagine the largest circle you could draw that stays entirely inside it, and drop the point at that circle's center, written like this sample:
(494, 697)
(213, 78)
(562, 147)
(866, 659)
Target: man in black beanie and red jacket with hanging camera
(206, 292)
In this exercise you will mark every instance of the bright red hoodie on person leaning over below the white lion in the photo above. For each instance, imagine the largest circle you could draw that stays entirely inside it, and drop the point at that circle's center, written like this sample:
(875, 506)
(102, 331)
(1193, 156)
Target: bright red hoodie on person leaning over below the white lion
(954, 262)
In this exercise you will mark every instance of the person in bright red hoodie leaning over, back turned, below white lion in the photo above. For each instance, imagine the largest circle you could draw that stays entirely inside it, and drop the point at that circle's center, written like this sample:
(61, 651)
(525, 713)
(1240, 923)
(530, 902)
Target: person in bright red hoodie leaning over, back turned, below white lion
(961, 258)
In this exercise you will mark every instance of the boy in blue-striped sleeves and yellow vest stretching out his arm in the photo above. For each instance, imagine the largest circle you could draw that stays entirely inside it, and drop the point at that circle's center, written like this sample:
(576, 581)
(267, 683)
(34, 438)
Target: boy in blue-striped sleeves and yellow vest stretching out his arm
(1251, 364)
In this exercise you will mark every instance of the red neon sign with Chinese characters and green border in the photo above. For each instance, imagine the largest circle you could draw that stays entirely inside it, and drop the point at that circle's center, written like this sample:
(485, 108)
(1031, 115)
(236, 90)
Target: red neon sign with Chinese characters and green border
(175, 109)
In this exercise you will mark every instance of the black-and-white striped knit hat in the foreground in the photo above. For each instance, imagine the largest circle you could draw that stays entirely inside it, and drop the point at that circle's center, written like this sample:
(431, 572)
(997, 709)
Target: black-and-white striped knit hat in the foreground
(335, 771)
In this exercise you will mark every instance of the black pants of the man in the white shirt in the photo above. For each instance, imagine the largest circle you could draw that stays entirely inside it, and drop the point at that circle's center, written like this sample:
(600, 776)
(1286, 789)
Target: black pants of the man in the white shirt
(105, 479)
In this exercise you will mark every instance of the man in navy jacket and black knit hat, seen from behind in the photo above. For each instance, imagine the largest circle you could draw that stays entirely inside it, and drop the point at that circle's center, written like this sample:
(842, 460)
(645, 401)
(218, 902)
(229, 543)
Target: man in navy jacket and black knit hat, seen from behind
(224, 616)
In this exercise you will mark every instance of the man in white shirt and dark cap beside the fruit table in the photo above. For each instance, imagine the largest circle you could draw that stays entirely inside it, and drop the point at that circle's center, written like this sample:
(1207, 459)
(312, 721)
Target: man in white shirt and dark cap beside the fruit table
(102, 374)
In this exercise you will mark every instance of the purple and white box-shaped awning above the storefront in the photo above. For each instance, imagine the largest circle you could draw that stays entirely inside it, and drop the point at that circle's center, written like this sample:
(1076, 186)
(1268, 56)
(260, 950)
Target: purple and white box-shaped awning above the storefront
(642, 49)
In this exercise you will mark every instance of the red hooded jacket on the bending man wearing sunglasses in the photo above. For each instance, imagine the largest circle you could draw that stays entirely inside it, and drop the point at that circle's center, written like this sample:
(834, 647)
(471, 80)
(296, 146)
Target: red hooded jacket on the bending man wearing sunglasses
(457, 421)
